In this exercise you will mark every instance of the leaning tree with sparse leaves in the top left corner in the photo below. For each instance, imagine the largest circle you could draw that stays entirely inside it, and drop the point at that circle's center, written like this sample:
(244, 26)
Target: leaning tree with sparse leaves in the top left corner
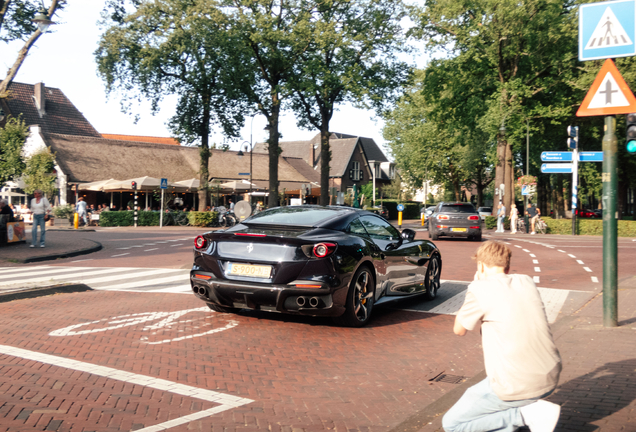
(16, 24)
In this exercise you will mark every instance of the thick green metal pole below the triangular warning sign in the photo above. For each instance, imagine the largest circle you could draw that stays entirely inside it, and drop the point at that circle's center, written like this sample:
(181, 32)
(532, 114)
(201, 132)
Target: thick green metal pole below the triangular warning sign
(610, 224)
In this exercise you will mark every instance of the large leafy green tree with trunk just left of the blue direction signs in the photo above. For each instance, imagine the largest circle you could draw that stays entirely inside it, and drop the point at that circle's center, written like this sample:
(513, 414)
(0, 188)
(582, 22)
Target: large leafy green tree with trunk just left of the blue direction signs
(525, 51)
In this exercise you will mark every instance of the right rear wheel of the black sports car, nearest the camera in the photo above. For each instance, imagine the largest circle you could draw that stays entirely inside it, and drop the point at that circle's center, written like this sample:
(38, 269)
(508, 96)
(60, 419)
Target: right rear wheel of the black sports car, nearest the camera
(359, 300)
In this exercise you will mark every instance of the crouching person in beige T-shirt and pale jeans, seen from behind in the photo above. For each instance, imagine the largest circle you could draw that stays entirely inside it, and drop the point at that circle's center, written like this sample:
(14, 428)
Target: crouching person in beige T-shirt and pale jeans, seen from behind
(522, 362)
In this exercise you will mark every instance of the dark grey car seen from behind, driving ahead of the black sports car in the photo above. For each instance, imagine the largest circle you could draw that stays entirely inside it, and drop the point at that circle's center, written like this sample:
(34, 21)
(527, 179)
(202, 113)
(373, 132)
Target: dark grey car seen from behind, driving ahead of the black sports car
(455, 219)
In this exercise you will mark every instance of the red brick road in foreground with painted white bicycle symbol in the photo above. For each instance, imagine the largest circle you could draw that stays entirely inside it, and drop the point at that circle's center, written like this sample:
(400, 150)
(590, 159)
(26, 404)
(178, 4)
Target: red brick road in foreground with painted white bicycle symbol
(301, 373)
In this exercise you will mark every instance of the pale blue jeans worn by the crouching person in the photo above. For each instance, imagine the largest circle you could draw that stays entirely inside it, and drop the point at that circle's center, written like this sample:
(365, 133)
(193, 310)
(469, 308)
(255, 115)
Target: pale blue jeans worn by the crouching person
(481, 410)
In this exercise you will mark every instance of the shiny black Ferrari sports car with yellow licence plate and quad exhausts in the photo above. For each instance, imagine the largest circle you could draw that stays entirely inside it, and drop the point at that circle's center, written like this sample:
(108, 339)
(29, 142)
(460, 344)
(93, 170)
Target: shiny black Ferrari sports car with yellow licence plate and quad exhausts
(313, 260)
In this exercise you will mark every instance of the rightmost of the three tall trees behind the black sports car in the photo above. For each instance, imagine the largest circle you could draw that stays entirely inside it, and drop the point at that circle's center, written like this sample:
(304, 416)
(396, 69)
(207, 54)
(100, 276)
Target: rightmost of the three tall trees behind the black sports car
(352, 58)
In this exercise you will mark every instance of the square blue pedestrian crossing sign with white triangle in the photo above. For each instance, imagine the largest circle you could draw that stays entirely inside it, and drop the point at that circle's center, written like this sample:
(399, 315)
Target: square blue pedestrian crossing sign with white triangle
(607, 30)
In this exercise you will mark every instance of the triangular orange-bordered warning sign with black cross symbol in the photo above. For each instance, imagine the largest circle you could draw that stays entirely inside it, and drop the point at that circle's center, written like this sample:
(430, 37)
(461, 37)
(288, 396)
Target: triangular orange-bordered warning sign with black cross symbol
(608, 95)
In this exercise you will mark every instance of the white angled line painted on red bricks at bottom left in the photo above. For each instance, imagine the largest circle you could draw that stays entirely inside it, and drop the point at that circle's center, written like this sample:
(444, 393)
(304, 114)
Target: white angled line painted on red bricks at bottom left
(225, 401)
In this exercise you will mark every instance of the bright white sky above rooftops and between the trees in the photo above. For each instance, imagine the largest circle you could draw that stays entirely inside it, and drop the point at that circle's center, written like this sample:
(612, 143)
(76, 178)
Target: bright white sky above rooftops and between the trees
(64, 59)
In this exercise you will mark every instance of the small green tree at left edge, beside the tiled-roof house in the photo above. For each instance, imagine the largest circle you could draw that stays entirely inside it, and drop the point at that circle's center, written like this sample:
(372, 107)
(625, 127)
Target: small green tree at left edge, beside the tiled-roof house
(12, 138)
